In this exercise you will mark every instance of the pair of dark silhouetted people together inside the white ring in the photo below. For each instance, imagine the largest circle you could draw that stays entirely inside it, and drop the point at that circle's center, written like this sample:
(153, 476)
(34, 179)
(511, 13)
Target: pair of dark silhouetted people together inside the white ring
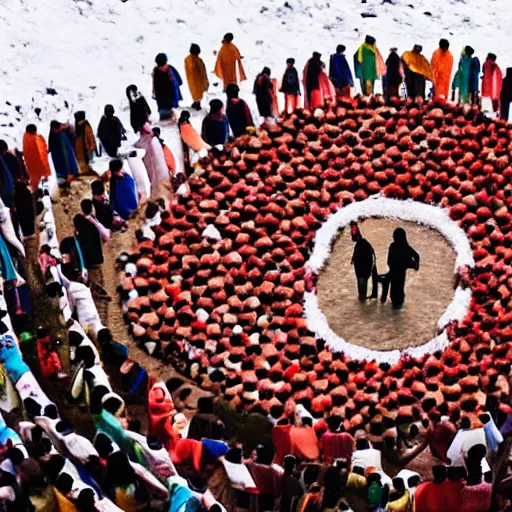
(401, 257)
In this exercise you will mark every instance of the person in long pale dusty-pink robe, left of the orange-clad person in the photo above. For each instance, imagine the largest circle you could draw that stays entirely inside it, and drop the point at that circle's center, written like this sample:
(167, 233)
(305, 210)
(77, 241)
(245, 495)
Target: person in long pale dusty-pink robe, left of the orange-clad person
(154, 160)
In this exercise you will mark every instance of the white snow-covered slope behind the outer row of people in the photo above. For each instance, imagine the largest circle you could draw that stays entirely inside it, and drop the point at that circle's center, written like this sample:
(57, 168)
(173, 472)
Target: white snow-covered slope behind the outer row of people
(90, 50)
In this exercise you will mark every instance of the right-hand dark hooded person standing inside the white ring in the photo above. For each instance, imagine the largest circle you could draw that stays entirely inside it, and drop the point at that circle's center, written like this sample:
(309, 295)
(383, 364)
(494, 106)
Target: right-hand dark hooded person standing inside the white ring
(401, 256)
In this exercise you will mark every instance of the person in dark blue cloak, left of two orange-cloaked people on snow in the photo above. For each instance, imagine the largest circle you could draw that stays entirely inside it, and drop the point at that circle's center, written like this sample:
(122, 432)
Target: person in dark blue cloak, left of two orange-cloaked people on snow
(166, 87)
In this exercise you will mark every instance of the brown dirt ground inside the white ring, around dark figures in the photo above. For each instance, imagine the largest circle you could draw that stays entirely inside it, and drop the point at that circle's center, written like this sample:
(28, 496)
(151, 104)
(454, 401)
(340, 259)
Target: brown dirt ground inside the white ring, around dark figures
(378, 326)
